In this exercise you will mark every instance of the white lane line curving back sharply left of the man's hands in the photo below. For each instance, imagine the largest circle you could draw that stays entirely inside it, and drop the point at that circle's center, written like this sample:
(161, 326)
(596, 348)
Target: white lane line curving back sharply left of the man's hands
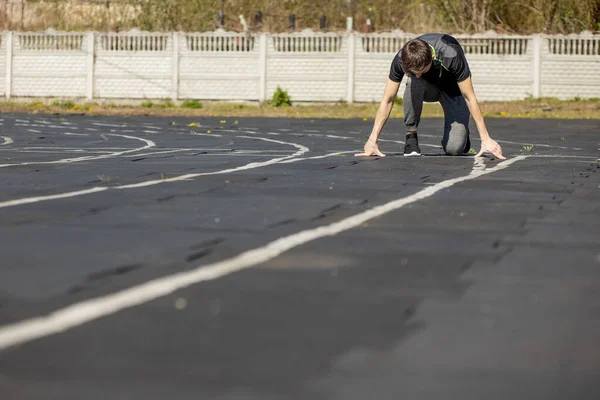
(27, 200)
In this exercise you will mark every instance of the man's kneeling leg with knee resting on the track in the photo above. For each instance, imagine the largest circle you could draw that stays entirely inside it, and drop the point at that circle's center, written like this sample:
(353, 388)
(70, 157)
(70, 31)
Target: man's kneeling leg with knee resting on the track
(456, 124)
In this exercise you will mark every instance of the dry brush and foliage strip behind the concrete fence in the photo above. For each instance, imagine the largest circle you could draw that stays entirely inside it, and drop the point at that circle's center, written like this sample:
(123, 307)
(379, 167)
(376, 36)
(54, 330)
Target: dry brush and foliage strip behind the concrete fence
(418, 16)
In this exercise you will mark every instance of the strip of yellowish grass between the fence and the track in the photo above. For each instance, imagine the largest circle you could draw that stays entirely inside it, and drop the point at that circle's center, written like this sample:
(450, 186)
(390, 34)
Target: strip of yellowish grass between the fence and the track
(531, 108)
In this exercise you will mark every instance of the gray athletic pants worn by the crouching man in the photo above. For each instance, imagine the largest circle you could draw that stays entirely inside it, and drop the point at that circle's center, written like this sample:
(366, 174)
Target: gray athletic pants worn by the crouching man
(456, 113)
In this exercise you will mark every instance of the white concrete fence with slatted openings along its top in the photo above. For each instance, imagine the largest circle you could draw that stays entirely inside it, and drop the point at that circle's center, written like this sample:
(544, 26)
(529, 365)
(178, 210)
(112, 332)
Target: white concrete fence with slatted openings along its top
(310, 66)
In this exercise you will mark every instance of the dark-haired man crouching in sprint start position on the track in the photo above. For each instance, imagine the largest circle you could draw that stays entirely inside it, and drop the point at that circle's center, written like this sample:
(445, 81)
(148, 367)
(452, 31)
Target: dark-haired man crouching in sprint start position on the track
(438, 71)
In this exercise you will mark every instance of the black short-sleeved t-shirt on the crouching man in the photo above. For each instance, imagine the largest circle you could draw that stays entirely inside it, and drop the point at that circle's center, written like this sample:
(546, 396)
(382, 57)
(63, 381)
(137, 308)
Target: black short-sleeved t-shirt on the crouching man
(449, 65)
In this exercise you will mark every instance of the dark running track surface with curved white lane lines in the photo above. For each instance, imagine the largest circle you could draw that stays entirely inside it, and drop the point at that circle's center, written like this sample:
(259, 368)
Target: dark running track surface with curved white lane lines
(142, 258)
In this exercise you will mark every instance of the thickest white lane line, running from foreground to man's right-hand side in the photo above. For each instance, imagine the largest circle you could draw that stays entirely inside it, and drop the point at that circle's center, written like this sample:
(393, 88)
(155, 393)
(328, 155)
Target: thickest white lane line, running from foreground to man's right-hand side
(85, 311)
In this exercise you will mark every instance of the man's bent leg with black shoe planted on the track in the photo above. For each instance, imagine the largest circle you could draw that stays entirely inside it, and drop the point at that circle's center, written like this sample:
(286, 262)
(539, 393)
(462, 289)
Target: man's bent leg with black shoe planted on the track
(417, 91)
